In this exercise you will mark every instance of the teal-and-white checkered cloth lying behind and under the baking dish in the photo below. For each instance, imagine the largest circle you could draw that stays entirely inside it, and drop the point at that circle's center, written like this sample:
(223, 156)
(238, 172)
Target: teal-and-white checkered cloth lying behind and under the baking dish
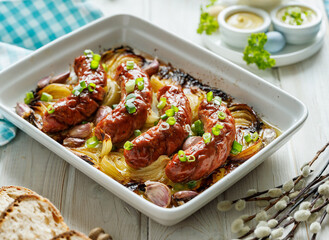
(26, 25)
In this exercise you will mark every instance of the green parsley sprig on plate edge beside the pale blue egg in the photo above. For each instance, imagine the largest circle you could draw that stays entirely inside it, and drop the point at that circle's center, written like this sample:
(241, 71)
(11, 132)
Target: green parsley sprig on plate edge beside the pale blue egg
(255, 52)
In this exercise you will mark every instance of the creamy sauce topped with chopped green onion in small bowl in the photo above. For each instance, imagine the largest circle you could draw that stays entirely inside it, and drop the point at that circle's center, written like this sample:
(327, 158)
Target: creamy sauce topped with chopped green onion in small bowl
(296, 15)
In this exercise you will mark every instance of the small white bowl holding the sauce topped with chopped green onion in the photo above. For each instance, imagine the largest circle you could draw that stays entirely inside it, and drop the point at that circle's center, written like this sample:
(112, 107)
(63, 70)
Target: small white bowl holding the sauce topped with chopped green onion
(300, 34)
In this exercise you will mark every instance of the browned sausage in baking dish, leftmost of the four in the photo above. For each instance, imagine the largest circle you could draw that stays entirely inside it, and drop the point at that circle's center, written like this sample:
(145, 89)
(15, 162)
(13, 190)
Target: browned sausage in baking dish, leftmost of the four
(72, 110)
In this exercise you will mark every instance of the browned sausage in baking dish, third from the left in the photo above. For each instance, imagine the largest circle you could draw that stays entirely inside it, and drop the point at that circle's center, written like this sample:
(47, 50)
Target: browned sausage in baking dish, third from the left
(158, 141)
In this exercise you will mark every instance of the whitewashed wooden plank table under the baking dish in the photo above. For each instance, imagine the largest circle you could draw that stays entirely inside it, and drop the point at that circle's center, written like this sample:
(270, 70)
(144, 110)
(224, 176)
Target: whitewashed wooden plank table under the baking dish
(85, 204)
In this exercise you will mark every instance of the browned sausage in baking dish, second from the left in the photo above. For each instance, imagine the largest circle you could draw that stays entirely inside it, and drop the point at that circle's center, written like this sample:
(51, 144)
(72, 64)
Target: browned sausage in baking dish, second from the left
(119, 124)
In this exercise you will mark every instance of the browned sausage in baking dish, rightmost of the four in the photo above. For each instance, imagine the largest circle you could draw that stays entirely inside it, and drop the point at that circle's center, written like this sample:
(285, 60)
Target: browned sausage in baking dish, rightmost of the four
(208, 156)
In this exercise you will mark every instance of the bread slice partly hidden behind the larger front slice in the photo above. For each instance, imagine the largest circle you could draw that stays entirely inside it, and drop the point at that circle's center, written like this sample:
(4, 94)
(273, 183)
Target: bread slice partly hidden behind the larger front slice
(10, 193)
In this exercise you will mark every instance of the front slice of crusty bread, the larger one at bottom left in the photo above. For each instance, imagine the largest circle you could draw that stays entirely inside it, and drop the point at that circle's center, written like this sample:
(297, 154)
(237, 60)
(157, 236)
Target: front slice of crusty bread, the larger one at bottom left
(31, 217)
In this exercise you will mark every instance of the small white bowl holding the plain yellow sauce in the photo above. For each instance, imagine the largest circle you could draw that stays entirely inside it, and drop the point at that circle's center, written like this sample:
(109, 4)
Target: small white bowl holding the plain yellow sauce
(236, 37)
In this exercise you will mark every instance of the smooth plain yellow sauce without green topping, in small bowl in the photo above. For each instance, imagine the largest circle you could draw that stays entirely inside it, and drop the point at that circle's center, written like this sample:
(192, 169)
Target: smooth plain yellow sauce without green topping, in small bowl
(245, 20)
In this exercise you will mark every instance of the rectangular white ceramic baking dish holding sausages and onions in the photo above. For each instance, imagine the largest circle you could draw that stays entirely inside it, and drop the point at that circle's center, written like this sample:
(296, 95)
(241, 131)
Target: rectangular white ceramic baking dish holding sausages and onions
(274, 105)
